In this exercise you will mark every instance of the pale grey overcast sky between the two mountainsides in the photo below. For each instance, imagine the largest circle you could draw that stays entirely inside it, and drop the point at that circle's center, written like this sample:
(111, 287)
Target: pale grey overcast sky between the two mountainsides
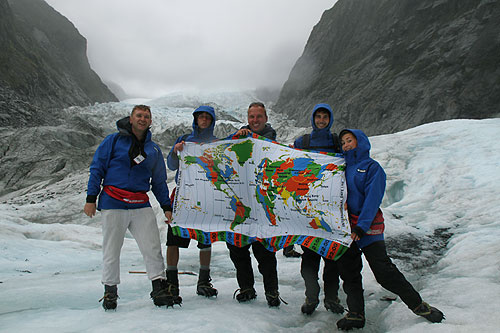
(152, 47)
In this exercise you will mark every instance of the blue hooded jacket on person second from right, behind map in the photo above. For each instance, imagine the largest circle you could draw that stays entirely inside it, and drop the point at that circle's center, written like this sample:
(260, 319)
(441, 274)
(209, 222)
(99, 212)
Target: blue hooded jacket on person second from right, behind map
(320, 139)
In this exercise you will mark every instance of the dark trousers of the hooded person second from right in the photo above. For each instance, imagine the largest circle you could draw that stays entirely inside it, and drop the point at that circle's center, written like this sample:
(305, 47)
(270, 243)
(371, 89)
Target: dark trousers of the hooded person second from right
(309, 269)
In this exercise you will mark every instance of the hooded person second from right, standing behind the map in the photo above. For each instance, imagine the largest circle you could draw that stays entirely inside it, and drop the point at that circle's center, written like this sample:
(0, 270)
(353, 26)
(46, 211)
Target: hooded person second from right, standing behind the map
(320, 139)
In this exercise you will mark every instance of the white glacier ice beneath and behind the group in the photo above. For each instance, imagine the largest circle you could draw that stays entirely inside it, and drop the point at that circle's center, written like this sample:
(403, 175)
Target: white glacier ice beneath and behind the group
(442, 230)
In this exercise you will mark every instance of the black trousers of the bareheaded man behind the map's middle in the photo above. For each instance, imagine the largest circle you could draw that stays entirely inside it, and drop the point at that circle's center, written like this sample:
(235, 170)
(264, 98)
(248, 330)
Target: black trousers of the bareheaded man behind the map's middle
(240, 256)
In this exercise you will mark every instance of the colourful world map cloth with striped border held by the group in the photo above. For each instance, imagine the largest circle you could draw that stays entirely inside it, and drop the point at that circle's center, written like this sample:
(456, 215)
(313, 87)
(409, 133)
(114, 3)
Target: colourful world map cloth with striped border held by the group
(252, 189)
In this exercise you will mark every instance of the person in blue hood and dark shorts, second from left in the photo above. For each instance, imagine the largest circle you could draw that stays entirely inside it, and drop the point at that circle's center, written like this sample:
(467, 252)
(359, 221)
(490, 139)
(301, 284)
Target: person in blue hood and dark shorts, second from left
(203, 131)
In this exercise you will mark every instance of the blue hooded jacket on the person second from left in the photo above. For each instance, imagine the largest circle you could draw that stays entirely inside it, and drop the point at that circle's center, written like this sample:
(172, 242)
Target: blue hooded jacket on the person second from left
(197, 135)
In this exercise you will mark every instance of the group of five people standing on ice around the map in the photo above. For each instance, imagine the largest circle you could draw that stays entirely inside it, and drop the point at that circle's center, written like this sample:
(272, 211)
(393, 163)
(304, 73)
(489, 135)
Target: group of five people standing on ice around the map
(127, 164)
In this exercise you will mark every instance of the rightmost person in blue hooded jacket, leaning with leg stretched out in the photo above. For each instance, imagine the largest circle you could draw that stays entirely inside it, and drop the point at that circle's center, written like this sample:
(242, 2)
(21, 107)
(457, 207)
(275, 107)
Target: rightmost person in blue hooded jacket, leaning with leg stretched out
(366, 180)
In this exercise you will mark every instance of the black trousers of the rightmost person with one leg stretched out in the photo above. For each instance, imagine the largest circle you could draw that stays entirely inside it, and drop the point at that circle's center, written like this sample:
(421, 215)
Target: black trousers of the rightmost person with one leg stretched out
(385, 272)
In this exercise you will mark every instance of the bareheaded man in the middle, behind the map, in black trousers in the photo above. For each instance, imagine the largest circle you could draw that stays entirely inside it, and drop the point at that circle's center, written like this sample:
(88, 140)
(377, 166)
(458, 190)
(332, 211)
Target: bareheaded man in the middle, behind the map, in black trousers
(240, 256)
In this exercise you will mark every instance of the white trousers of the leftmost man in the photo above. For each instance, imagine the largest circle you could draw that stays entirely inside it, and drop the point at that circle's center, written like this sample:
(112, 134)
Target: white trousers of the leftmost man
(142, 225)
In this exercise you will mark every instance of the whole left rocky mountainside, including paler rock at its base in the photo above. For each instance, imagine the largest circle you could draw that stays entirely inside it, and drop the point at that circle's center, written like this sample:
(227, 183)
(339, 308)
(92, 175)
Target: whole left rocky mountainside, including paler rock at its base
(43, 68)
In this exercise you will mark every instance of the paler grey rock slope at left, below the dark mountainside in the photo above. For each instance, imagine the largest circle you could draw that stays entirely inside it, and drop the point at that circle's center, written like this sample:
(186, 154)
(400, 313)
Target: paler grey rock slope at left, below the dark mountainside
(46, 154)
